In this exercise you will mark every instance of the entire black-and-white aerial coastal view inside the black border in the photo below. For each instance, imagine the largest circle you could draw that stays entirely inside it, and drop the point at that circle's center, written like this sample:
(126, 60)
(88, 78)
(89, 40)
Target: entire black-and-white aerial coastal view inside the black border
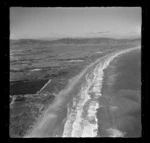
(75, 72)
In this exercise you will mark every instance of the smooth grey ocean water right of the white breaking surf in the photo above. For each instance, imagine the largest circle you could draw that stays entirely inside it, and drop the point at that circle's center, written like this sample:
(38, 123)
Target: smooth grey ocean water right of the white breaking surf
(122, 84)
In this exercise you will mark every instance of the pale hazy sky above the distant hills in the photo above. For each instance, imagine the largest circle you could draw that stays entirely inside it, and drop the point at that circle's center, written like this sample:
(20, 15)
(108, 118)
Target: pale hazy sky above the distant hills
(60, 22)
